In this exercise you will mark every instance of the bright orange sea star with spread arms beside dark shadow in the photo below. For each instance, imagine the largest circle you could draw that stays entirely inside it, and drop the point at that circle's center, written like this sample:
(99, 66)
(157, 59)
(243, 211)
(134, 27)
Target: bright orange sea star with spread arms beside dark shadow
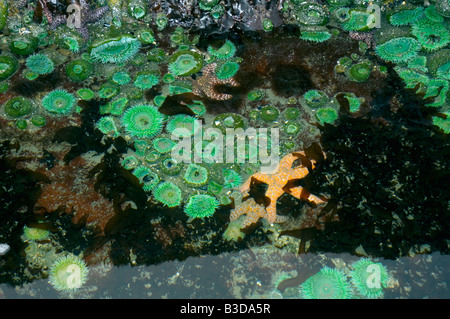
(277, 181)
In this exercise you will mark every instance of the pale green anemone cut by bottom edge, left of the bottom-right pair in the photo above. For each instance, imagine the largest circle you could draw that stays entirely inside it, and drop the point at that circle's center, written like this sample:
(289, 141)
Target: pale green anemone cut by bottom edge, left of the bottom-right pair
(328, 283)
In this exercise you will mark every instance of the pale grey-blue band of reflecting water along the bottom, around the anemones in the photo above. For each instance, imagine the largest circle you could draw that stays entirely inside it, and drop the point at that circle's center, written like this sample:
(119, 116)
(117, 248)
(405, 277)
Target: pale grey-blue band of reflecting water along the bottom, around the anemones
(259, 272)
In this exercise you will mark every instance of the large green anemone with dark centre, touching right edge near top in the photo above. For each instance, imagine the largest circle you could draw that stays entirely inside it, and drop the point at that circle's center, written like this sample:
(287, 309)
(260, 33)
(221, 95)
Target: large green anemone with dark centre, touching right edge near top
(431, 35)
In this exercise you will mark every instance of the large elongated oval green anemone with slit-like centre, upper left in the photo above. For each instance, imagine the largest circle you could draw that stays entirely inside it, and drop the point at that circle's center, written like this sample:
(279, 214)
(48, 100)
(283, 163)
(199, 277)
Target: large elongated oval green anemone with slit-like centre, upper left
(115, 50)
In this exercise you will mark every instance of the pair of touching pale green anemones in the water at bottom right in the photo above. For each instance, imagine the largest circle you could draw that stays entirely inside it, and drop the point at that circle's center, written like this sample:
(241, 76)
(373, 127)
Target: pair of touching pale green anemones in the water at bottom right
(368, 279)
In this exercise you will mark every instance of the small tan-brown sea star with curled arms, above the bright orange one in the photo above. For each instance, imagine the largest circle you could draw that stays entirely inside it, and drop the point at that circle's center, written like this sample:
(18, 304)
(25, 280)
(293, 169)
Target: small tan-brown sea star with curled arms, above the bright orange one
(206, 83)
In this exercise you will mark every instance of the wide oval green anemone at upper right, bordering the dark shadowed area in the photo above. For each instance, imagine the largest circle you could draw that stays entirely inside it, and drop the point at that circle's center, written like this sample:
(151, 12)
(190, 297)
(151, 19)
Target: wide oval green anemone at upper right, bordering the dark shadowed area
(398, 49)
